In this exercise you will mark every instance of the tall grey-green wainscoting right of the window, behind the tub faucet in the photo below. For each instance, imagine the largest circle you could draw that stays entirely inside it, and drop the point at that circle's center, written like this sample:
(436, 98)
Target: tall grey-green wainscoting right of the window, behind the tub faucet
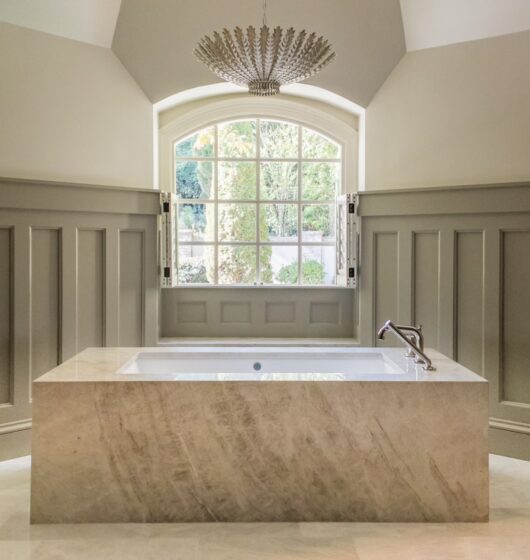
(457, 261)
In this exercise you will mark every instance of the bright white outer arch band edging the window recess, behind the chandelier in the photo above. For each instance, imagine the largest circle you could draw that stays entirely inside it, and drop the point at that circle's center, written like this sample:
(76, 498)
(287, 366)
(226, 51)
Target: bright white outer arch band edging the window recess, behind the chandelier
(296, 90)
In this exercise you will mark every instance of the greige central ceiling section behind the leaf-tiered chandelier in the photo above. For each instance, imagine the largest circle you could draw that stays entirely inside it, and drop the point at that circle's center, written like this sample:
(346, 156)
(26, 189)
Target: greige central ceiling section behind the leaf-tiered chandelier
(155, 39)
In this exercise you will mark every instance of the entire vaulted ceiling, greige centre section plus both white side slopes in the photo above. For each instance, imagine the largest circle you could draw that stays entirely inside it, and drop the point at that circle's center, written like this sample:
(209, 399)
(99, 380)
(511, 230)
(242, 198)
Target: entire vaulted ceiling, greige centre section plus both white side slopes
(154, 39)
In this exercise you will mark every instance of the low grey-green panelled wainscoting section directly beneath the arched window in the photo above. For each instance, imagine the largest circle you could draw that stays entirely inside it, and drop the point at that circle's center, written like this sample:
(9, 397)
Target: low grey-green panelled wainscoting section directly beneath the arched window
(258, 312)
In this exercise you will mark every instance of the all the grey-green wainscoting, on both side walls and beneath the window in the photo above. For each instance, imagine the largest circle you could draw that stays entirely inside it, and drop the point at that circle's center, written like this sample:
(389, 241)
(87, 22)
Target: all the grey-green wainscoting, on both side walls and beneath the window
(78, 268)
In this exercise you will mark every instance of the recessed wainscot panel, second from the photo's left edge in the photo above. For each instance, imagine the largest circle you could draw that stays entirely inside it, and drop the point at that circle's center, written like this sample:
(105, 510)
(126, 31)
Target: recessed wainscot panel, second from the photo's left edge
(45, 300)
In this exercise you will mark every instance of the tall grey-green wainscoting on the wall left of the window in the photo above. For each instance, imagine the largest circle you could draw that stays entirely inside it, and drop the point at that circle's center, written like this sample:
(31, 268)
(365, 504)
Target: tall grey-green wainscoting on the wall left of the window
(78, 268)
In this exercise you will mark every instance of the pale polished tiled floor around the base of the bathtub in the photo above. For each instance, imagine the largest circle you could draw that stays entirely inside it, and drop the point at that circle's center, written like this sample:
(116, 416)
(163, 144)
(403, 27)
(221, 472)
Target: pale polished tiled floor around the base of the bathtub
(506, 537)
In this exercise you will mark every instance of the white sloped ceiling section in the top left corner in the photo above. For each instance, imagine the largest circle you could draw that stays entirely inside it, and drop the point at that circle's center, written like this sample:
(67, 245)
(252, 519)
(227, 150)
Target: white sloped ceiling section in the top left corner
(90, 21)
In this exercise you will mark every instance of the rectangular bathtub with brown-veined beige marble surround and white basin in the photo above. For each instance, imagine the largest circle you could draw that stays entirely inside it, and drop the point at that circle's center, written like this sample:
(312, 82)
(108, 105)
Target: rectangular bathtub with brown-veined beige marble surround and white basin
(312, 434)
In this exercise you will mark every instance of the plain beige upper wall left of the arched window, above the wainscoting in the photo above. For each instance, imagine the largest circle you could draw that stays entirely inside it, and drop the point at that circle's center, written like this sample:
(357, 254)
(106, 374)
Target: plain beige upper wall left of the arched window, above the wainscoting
(69, 111)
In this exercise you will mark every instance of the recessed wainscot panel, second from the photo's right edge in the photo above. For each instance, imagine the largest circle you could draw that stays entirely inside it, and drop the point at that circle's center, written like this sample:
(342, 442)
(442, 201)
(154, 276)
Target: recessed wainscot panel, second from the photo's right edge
(469, 344)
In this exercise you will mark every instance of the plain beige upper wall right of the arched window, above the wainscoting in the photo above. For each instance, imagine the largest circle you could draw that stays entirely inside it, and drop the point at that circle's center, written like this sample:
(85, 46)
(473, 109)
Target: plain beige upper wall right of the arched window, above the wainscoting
(453, 115)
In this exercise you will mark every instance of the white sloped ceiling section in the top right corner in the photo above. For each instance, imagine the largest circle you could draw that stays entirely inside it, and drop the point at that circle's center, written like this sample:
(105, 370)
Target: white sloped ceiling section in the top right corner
(432, 23)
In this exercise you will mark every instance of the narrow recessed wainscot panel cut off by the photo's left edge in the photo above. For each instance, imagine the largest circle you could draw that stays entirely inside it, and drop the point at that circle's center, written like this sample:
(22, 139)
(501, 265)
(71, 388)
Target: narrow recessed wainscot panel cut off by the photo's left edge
(5, 314)
